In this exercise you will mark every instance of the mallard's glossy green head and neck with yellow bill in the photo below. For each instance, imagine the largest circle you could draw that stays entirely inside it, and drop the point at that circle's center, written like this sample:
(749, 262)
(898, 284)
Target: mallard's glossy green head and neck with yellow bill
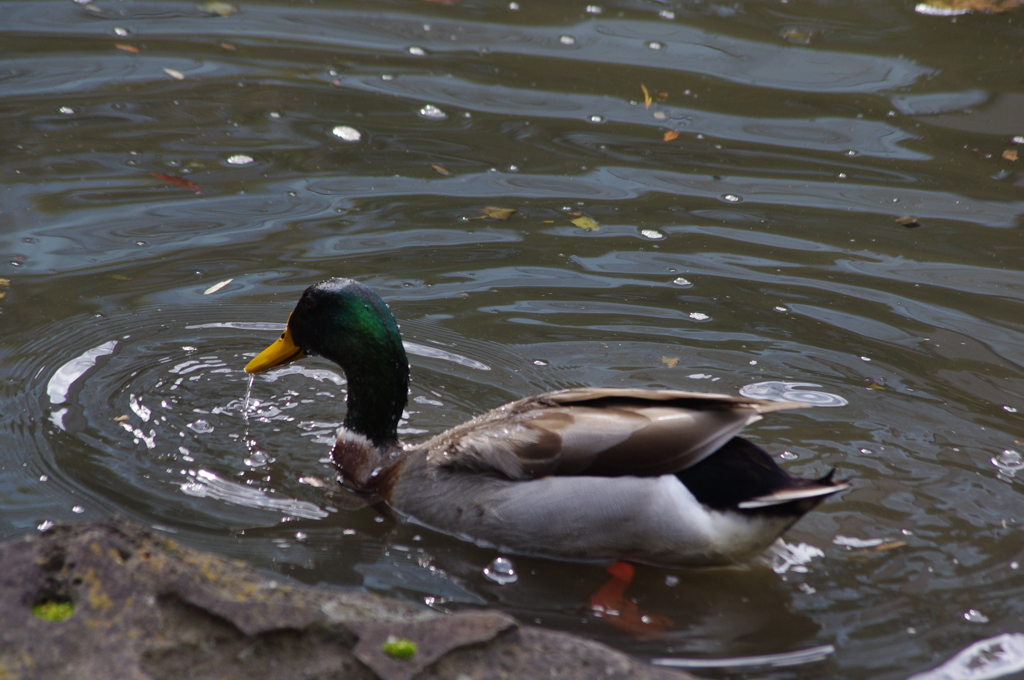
(346, 322)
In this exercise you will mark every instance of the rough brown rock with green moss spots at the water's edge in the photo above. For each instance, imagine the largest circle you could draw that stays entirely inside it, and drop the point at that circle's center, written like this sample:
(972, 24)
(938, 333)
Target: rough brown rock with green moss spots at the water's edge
(144, 608)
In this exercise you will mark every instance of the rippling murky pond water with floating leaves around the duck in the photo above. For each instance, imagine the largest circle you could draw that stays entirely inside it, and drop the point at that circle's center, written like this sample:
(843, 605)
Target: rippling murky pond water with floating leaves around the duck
(175, 176)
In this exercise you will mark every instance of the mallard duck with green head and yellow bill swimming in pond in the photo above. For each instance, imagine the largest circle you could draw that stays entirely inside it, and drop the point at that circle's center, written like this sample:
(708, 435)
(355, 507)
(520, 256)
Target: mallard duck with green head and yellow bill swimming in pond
(647, 476)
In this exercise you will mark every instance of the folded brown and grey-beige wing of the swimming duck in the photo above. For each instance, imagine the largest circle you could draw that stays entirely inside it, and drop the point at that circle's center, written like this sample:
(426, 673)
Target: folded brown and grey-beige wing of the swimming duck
(599, 432)
